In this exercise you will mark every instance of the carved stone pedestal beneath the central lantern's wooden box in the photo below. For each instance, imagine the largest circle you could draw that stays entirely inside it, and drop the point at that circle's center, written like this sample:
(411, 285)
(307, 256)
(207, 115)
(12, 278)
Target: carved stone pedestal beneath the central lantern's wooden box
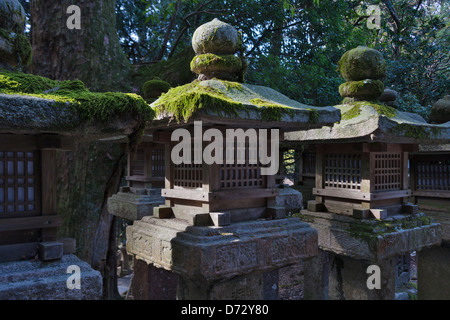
(238, 261)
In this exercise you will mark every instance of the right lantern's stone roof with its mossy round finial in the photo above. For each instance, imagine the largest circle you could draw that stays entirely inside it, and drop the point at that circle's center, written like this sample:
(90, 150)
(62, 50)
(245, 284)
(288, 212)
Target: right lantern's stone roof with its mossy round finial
(367, 114)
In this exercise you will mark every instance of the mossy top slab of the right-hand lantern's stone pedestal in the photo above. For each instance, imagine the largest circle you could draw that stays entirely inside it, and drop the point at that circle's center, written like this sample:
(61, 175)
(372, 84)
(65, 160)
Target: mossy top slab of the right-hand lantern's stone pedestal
(371, 240)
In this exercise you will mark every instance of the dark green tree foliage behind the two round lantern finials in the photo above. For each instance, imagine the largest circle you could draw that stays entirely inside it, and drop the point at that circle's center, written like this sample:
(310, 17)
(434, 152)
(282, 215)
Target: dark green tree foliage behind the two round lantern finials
(294, 46)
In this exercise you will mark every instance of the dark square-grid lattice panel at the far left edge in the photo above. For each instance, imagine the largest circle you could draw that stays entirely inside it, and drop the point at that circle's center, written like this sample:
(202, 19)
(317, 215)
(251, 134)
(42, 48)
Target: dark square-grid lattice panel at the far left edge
(19, 183)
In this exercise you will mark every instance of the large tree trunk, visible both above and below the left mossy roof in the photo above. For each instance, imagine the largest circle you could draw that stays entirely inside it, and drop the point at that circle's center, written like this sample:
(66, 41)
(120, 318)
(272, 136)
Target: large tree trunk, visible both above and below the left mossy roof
(92, 172)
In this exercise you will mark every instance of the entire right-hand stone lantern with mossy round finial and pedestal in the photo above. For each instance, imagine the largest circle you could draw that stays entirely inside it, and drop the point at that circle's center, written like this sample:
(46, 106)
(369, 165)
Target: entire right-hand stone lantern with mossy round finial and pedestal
(361, 208)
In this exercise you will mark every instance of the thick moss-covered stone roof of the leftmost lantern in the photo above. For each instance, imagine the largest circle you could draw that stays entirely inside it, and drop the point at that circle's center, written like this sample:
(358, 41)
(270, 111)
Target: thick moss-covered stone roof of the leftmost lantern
(32, 104)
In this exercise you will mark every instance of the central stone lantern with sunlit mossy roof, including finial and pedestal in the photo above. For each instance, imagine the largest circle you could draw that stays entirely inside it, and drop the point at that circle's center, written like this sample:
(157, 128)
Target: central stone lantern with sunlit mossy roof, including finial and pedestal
(219, 234)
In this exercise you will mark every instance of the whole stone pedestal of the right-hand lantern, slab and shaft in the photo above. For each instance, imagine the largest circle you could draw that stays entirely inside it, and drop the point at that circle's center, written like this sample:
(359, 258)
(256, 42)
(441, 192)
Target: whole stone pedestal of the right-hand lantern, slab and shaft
(350, 246)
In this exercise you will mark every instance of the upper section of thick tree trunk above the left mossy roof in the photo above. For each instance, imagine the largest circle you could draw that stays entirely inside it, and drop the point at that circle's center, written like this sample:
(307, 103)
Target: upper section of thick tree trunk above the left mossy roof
(91, 54)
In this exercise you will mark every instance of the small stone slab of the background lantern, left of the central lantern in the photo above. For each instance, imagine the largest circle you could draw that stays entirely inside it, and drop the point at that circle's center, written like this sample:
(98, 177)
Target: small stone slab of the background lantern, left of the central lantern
(133, 206)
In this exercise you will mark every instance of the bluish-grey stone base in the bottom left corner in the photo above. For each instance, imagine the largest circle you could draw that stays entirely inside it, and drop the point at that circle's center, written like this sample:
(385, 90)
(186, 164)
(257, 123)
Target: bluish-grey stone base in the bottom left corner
(26, 280)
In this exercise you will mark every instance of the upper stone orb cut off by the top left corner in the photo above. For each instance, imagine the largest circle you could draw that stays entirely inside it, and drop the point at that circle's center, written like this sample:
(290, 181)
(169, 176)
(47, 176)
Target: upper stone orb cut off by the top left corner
(12, 16)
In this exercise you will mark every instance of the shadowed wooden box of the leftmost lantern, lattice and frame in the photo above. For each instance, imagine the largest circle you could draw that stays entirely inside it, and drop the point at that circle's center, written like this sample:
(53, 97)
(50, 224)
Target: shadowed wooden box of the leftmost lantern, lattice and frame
(28, 204)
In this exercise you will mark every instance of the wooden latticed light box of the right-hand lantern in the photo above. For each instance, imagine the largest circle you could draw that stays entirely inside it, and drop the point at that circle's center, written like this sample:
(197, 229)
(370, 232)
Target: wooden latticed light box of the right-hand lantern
(362, 177)
